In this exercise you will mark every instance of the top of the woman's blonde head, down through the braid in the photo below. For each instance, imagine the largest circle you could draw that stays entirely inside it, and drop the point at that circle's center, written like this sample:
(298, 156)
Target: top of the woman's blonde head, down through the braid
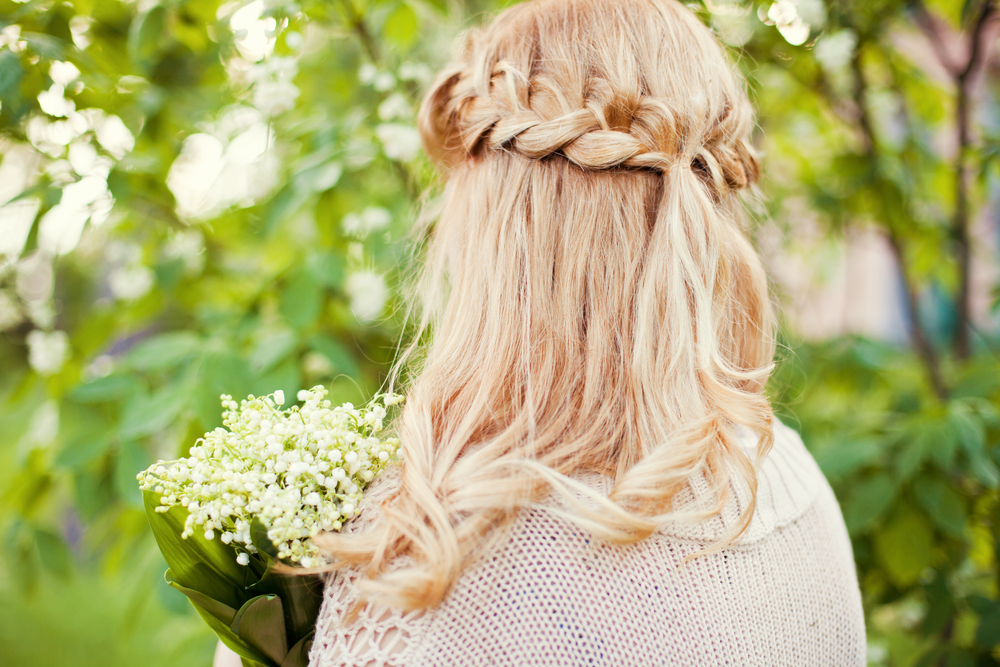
(636, 83)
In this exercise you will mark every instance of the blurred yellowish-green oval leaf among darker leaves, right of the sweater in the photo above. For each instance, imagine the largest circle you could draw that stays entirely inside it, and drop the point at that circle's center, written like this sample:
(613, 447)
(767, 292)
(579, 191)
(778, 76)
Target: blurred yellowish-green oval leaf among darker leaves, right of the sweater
(905, 546)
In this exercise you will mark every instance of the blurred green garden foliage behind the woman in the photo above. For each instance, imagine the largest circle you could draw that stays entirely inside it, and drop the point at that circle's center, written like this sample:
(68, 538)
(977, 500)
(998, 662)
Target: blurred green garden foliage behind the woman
(256, 294)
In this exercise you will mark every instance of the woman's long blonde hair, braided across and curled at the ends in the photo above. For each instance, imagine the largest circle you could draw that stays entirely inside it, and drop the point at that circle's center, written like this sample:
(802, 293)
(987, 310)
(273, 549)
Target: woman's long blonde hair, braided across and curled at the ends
(589, 299)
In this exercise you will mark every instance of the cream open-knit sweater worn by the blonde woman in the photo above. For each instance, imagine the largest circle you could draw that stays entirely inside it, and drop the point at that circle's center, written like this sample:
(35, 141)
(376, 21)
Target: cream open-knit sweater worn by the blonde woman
(785, 594)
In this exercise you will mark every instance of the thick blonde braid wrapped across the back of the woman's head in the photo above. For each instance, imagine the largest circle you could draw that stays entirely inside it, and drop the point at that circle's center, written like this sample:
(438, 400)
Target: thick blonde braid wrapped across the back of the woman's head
(609, 131)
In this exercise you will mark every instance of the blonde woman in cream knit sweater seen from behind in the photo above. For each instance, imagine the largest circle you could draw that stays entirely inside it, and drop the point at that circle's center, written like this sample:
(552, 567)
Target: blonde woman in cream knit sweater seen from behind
(592, 474)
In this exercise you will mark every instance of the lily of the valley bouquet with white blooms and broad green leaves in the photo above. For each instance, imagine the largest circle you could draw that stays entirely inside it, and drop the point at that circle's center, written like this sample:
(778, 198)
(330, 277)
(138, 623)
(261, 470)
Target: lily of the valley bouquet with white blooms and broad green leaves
(255, 494)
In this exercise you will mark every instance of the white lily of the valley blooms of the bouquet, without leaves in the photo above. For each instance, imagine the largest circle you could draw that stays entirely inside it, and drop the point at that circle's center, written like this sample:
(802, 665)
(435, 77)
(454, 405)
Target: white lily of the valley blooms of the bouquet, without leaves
(299, 471)
